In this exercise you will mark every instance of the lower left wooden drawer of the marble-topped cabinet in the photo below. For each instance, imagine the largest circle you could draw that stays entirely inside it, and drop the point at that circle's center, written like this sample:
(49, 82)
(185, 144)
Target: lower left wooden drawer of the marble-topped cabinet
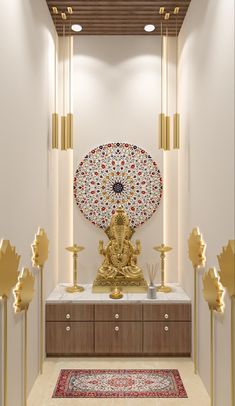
(69, 338)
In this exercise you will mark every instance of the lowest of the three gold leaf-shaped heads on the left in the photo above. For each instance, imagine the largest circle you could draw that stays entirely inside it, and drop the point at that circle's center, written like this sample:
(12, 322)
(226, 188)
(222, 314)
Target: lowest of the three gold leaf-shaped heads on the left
(24, 290)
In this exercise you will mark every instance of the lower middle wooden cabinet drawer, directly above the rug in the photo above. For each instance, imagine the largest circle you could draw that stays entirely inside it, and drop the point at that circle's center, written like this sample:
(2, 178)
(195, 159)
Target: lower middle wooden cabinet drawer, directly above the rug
(118, 338)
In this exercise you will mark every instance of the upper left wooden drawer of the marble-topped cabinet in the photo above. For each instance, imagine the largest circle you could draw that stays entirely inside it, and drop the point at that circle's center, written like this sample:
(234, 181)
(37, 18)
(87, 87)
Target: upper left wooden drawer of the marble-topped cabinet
(69, 312)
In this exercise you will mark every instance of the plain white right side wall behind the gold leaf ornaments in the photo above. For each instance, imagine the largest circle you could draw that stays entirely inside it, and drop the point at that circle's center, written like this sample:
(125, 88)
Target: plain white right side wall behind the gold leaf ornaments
(206, 172)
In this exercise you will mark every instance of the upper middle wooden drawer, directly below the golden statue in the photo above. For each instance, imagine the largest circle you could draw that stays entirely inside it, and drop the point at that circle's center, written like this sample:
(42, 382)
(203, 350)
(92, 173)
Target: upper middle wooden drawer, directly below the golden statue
(119, 312)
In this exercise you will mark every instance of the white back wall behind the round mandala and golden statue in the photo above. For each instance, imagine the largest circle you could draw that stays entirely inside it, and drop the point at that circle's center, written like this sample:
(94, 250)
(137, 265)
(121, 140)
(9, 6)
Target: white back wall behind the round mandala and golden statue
(116, 87)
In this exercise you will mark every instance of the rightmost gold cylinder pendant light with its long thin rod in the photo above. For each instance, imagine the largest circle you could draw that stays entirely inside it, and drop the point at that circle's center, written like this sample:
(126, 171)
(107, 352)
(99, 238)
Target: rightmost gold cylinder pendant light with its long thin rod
(176, 121)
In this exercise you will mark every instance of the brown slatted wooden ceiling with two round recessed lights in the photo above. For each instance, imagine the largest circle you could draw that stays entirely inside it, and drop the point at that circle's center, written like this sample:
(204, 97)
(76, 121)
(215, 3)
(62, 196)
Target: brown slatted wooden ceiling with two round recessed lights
(117, 17)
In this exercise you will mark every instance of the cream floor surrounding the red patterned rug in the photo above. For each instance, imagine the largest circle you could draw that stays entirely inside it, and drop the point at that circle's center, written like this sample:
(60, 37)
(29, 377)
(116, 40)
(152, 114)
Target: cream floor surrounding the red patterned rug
(44, 385)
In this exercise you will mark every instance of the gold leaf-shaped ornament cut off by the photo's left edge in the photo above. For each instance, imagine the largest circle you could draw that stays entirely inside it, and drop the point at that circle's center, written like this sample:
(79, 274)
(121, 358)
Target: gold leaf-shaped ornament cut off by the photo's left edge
(9, 263)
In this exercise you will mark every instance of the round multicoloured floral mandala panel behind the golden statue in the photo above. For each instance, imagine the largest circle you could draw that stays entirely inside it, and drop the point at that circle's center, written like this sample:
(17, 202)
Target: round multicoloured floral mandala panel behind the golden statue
(117, 175)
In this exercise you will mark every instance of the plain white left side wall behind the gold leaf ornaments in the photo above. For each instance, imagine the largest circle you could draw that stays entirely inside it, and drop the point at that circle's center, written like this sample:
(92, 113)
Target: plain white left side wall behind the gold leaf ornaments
(27, 175)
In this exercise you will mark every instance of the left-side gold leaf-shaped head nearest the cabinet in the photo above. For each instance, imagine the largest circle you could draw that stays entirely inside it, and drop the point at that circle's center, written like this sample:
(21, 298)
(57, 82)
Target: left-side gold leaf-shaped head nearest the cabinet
(40, 248)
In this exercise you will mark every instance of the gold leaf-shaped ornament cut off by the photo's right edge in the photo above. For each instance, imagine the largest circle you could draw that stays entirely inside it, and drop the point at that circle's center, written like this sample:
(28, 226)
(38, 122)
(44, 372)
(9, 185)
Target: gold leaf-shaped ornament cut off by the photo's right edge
(227, 267)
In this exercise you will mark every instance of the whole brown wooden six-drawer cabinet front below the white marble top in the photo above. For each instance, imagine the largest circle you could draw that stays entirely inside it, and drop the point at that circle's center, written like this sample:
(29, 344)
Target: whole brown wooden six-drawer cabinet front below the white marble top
(120, 329)
